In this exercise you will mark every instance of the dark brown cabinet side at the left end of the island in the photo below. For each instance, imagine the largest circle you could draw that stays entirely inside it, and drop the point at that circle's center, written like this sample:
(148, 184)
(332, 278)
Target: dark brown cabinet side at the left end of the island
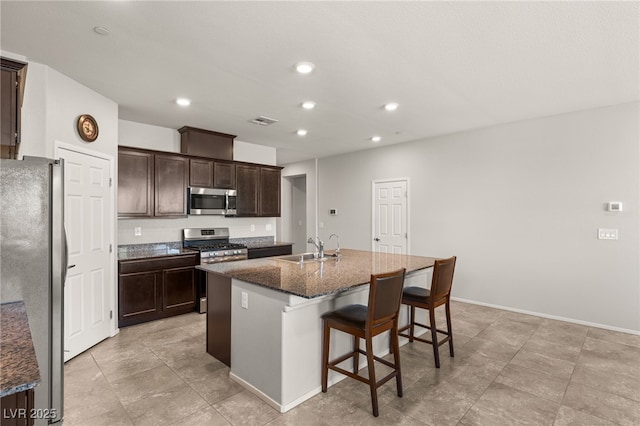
(219, 317)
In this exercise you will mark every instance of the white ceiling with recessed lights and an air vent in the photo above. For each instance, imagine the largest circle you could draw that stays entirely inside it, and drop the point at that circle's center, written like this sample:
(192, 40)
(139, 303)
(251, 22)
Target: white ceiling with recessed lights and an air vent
(451, 66)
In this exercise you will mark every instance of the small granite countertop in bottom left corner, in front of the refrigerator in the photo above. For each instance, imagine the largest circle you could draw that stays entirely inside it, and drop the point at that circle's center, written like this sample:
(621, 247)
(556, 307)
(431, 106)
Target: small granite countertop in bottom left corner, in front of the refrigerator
(18, 364)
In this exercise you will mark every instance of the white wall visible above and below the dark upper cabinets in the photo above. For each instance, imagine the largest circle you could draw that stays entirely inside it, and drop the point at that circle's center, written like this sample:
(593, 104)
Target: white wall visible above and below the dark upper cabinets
(146, 136)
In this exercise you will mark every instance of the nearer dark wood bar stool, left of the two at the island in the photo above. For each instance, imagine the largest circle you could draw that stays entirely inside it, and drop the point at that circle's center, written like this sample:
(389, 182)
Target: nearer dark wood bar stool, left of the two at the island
(366, 322)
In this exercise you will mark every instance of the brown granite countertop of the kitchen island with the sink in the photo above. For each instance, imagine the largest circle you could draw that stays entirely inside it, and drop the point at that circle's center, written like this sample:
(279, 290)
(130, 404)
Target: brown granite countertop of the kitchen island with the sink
(318, 278)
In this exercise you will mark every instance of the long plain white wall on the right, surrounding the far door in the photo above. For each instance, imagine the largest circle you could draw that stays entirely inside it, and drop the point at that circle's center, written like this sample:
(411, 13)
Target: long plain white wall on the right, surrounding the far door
(519, 204)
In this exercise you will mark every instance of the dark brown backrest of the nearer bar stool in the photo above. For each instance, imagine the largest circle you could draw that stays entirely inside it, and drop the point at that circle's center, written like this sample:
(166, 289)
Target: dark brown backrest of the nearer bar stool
(385, 295)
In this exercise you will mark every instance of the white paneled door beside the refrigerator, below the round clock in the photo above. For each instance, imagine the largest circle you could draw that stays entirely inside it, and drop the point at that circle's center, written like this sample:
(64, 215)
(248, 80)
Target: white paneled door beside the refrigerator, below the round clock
(88, 291)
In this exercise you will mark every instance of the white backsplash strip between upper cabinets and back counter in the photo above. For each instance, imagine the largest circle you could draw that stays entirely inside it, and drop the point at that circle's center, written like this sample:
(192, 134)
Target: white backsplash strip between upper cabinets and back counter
(163, 230)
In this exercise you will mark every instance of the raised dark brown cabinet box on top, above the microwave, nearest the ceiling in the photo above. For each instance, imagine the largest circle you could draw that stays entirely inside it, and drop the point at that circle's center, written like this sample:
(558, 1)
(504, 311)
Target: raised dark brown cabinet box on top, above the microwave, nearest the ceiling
(206, 143)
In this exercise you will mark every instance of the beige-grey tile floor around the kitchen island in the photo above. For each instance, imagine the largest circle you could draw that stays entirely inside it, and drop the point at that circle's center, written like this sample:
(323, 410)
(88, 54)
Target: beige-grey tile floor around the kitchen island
(509, 369)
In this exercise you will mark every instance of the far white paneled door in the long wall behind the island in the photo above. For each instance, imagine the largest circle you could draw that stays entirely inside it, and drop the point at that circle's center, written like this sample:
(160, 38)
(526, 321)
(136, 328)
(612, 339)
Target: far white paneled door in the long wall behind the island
(390, 217)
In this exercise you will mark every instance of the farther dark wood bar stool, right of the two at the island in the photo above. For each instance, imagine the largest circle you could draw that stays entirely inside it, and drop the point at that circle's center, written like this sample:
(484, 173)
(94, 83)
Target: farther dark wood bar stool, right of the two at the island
(438, 295)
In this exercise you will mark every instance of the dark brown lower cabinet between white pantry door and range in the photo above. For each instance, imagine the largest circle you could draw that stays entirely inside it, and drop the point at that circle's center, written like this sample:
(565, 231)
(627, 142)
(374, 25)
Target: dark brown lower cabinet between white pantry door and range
(154, 288)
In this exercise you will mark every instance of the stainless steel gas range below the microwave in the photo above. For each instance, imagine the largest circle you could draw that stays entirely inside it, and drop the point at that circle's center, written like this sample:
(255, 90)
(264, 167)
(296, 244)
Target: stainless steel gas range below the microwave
(213, 245)
